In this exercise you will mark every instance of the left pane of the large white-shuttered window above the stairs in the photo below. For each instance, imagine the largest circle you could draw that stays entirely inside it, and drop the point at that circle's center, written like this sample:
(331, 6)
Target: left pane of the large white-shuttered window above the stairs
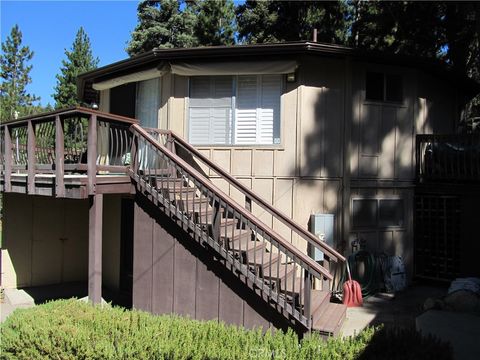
(210, 110)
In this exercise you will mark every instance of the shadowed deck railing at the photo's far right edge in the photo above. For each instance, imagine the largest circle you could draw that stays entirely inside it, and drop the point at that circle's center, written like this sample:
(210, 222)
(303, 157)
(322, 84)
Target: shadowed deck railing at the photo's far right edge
(448, 158)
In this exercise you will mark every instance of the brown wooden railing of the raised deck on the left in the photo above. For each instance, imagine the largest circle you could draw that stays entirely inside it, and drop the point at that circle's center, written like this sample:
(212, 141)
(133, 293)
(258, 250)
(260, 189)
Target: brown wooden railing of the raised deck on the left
(70, 141)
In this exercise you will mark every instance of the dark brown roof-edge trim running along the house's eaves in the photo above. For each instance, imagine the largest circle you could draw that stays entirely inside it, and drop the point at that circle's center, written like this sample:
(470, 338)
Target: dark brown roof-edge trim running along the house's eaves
(155, 58)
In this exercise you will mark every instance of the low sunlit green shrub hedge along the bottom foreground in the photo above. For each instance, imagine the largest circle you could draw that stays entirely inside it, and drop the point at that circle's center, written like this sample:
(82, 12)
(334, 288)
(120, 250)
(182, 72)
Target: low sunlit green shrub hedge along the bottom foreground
(69, 329)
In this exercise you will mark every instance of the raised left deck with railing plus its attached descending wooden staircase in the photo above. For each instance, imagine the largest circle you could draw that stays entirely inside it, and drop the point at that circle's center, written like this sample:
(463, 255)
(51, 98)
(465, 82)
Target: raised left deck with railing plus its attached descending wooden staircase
(108, 152)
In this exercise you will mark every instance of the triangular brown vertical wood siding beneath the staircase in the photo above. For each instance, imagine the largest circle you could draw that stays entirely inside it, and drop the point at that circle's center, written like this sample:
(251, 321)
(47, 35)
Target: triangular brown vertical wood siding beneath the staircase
(173, 274)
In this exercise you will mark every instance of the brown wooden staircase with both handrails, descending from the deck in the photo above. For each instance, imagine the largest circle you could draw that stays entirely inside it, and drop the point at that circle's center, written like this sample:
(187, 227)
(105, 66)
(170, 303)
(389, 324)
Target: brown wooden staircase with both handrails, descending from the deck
(270, 265)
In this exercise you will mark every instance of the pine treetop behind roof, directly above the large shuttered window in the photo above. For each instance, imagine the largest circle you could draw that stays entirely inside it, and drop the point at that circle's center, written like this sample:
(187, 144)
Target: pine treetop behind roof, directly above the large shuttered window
(215, 22)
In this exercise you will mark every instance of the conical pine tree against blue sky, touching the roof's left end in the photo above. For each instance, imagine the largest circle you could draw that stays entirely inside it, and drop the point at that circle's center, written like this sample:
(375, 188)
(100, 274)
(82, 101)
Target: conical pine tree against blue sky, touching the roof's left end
(79, 60)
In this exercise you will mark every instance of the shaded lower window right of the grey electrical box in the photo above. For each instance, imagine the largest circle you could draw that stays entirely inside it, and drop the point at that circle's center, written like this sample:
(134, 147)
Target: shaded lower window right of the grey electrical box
(373, 213)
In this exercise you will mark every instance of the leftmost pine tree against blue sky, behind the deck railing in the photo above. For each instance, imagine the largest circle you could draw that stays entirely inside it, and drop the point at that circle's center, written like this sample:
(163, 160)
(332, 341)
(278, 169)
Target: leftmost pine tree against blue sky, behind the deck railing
(15, 101)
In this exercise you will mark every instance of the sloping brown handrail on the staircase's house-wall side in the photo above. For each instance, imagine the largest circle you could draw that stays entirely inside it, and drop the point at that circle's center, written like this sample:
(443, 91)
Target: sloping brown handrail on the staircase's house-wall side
(308, 236)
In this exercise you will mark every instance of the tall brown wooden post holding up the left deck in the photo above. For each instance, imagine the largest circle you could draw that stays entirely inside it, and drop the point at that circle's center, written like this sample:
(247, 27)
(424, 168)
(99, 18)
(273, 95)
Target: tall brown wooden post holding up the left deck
(95, 249)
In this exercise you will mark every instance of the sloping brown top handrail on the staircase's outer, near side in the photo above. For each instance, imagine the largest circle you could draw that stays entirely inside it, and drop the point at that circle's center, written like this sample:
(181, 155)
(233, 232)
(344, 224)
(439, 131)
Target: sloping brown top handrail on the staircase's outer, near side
(316, 269)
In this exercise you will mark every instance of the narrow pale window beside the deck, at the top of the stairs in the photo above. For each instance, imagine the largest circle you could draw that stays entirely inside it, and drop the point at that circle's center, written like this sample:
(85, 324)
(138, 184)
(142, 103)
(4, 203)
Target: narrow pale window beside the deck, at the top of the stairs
(147, 102)
